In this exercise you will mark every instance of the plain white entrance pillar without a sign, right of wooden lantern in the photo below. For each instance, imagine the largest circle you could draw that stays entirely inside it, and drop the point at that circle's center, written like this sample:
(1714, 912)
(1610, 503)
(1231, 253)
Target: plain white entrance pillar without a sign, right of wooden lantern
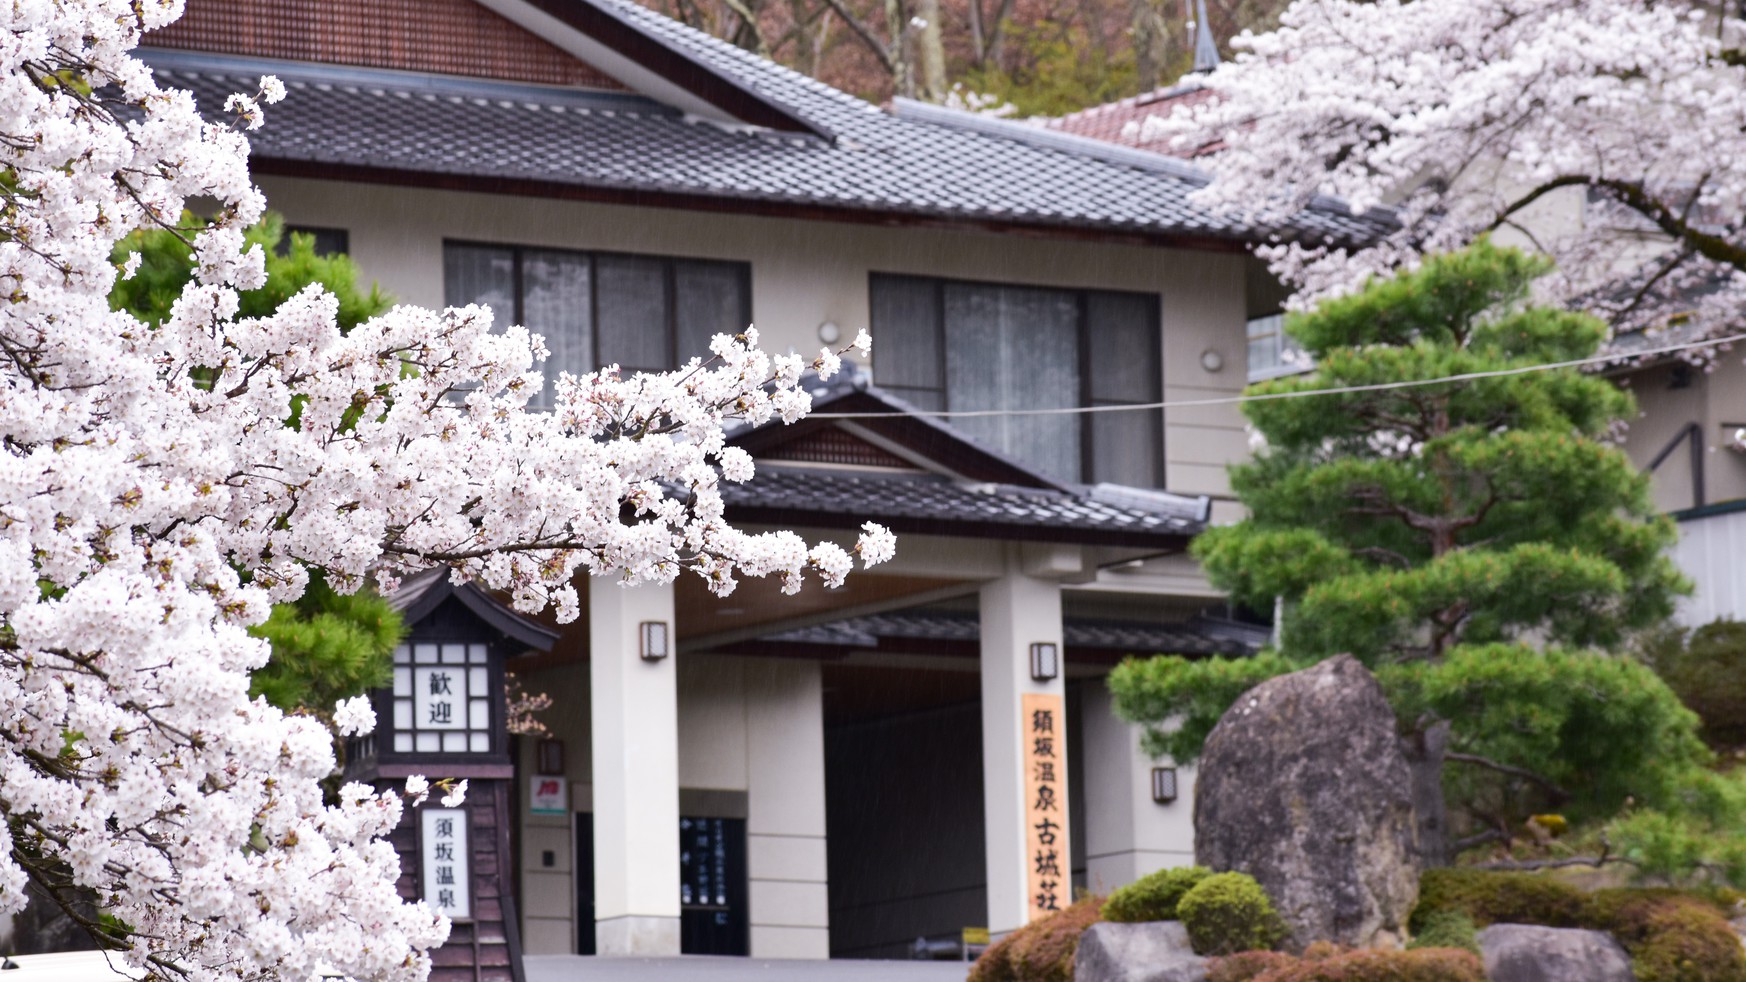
(636, 773)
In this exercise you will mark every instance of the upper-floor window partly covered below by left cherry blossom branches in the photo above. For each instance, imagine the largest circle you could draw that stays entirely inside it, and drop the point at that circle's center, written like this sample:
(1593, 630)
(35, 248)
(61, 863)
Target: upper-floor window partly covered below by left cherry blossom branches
(636, 312)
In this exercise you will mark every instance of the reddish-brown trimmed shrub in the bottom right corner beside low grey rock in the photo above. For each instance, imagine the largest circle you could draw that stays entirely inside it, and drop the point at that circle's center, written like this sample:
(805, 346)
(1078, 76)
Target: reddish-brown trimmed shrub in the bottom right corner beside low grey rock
(1672, 937)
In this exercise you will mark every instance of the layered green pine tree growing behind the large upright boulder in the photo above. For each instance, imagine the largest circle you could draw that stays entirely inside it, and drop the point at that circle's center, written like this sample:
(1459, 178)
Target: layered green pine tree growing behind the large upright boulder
(1483, 544)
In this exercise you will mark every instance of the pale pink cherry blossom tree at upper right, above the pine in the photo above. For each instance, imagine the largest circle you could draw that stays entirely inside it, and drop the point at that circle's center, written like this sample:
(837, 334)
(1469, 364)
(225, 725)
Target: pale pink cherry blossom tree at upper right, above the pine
(1607, 134)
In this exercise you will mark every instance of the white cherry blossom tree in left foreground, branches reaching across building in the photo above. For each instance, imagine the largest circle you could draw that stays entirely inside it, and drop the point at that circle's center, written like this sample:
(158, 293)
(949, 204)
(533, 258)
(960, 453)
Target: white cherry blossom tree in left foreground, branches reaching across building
(162, 487)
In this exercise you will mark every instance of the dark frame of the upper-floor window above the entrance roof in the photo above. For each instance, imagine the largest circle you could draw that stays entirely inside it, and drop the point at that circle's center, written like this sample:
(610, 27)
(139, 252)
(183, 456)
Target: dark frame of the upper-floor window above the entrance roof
(1083, 331)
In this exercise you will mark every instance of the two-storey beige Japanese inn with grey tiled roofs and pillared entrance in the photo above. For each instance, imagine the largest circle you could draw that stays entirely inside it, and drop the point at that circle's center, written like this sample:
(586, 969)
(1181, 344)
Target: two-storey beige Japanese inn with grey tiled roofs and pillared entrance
(839, 773)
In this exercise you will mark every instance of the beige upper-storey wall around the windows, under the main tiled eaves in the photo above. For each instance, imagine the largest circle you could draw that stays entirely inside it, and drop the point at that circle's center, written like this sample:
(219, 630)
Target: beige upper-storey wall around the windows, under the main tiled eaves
(806, 273)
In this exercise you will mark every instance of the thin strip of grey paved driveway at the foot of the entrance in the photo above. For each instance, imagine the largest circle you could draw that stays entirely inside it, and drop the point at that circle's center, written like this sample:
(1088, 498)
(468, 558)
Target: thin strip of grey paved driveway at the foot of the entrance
(706, 969)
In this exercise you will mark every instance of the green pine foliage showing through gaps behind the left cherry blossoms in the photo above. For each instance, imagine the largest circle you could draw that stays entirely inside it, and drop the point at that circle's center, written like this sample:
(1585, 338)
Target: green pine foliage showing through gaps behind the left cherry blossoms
(327, 646)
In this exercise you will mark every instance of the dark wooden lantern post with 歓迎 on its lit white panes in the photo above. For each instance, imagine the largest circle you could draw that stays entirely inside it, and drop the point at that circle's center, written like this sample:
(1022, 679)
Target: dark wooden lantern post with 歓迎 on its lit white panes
(444, 717)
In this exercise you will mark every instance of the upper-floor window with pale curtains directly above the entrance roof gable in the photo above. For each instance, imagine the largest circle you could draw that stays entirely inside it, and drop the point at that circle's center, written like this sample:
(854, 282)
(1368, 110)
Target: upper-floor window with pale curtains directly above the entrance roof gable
(968, 347)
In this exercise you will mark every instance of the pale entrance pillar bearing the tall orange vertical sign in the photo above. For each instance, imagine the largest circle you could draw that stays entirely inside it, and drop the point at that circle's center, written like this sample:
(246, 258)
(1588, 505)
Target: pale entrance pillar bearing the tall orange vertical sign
(1017, 612)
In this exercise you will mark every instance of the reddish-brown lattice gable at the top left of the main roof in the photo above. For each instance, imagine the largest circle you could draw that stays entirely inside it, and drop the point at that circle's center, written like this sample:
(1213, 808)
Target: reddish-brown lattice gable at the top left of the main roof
(444, 38)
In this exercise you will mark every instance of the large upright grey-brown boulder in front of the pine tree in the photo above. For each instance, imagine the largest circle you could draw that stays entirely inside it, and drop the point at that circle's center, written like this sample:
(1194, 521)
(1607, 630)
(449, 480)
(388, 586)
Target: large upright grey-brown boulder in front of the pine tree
(1305, 787)
